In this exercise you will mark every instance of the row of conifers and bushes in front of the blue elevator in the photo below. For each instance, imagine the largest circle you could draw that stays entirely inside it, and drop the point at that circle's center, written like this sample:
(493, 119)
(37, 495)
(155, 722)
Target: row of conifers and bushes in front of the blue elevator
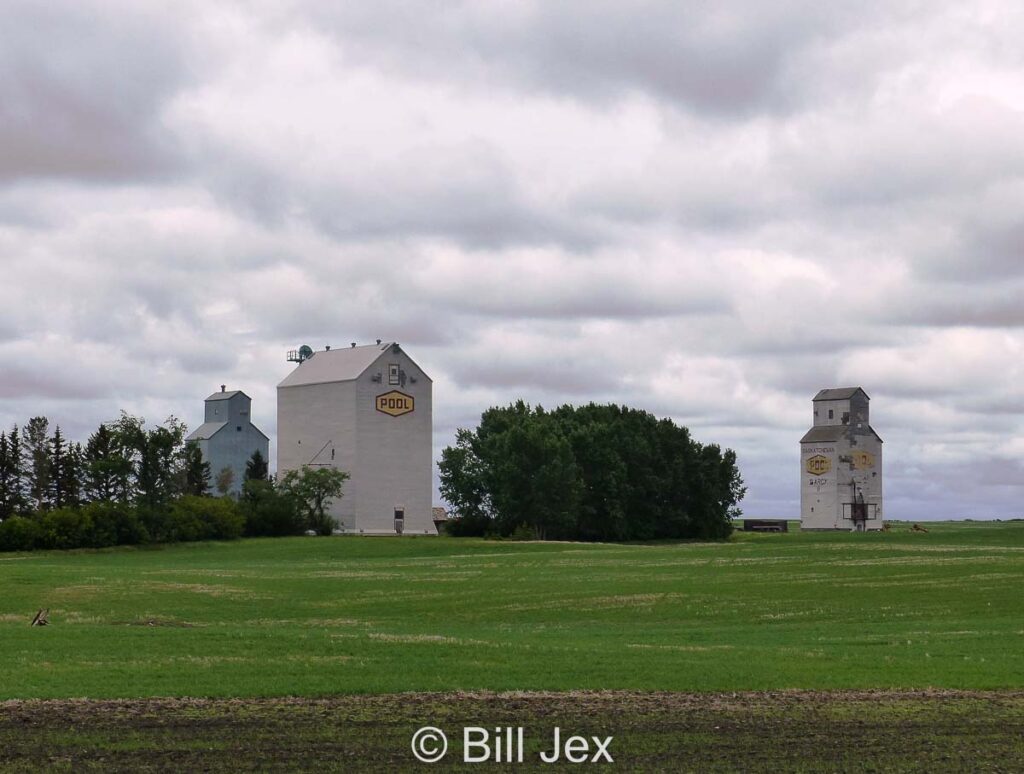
(132, 485)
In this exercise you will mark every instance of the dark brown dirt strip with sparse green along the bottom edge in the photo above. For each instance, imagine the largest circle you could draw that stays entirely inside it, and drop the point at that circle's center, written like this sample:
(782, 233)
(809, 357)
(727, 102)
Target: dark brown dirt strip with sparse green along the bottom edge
(786, 732)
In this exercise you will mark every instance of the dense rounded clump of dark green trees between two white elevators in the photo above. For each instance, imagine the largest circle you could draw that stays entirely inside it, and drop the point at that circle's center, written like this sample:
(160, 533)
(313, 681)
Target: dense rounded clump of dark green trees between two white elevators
(588, 474)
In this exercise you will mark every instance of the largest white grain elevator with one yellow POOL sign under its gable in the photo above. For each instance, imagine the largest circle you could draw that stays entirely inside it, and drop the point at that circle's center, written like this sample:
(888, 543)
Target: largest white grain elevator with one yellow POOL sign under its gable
(367, 411)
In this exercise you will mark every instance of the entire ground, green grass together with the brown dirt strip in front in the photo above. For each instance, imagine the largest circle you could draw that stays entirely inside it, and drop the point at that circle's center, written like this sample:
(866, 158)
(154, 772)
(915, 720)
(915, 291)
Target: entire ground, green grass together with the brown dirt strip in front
(899, 652)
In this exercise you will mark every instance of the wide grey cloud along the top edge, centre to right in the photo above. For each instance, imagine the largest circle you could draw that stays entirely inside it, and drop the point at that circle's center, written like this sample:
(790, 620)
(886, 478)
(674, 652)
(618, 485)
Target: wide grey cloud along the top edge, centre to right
(728, 59)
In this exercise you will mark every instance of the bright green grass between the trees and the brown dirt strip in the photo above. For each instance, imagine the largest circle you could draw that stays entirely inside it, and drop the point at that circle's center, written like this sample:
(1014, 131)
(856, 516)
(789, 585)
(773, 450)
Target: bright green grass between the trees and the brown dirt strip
(314, 617)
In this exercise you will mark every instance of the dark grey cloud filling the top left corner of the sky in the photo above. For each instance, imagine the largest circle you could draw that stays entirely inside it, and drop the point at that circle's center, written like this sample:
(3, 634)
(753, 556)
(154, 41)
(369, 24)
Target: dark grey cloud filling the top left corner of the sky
(81, 92)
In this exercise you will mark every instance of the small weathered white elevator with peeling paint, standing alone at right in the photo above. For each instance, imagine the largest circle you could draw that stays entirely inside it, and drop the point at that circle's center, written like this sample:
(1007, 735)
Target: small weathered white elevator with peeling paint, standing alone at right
(841, 465)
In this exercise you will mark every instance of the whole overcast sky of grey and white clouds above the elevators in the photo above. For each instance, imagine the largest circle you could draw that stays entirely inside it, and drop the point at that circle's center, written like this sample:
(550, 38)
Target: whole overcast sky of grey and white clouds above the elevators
(709, 211)
